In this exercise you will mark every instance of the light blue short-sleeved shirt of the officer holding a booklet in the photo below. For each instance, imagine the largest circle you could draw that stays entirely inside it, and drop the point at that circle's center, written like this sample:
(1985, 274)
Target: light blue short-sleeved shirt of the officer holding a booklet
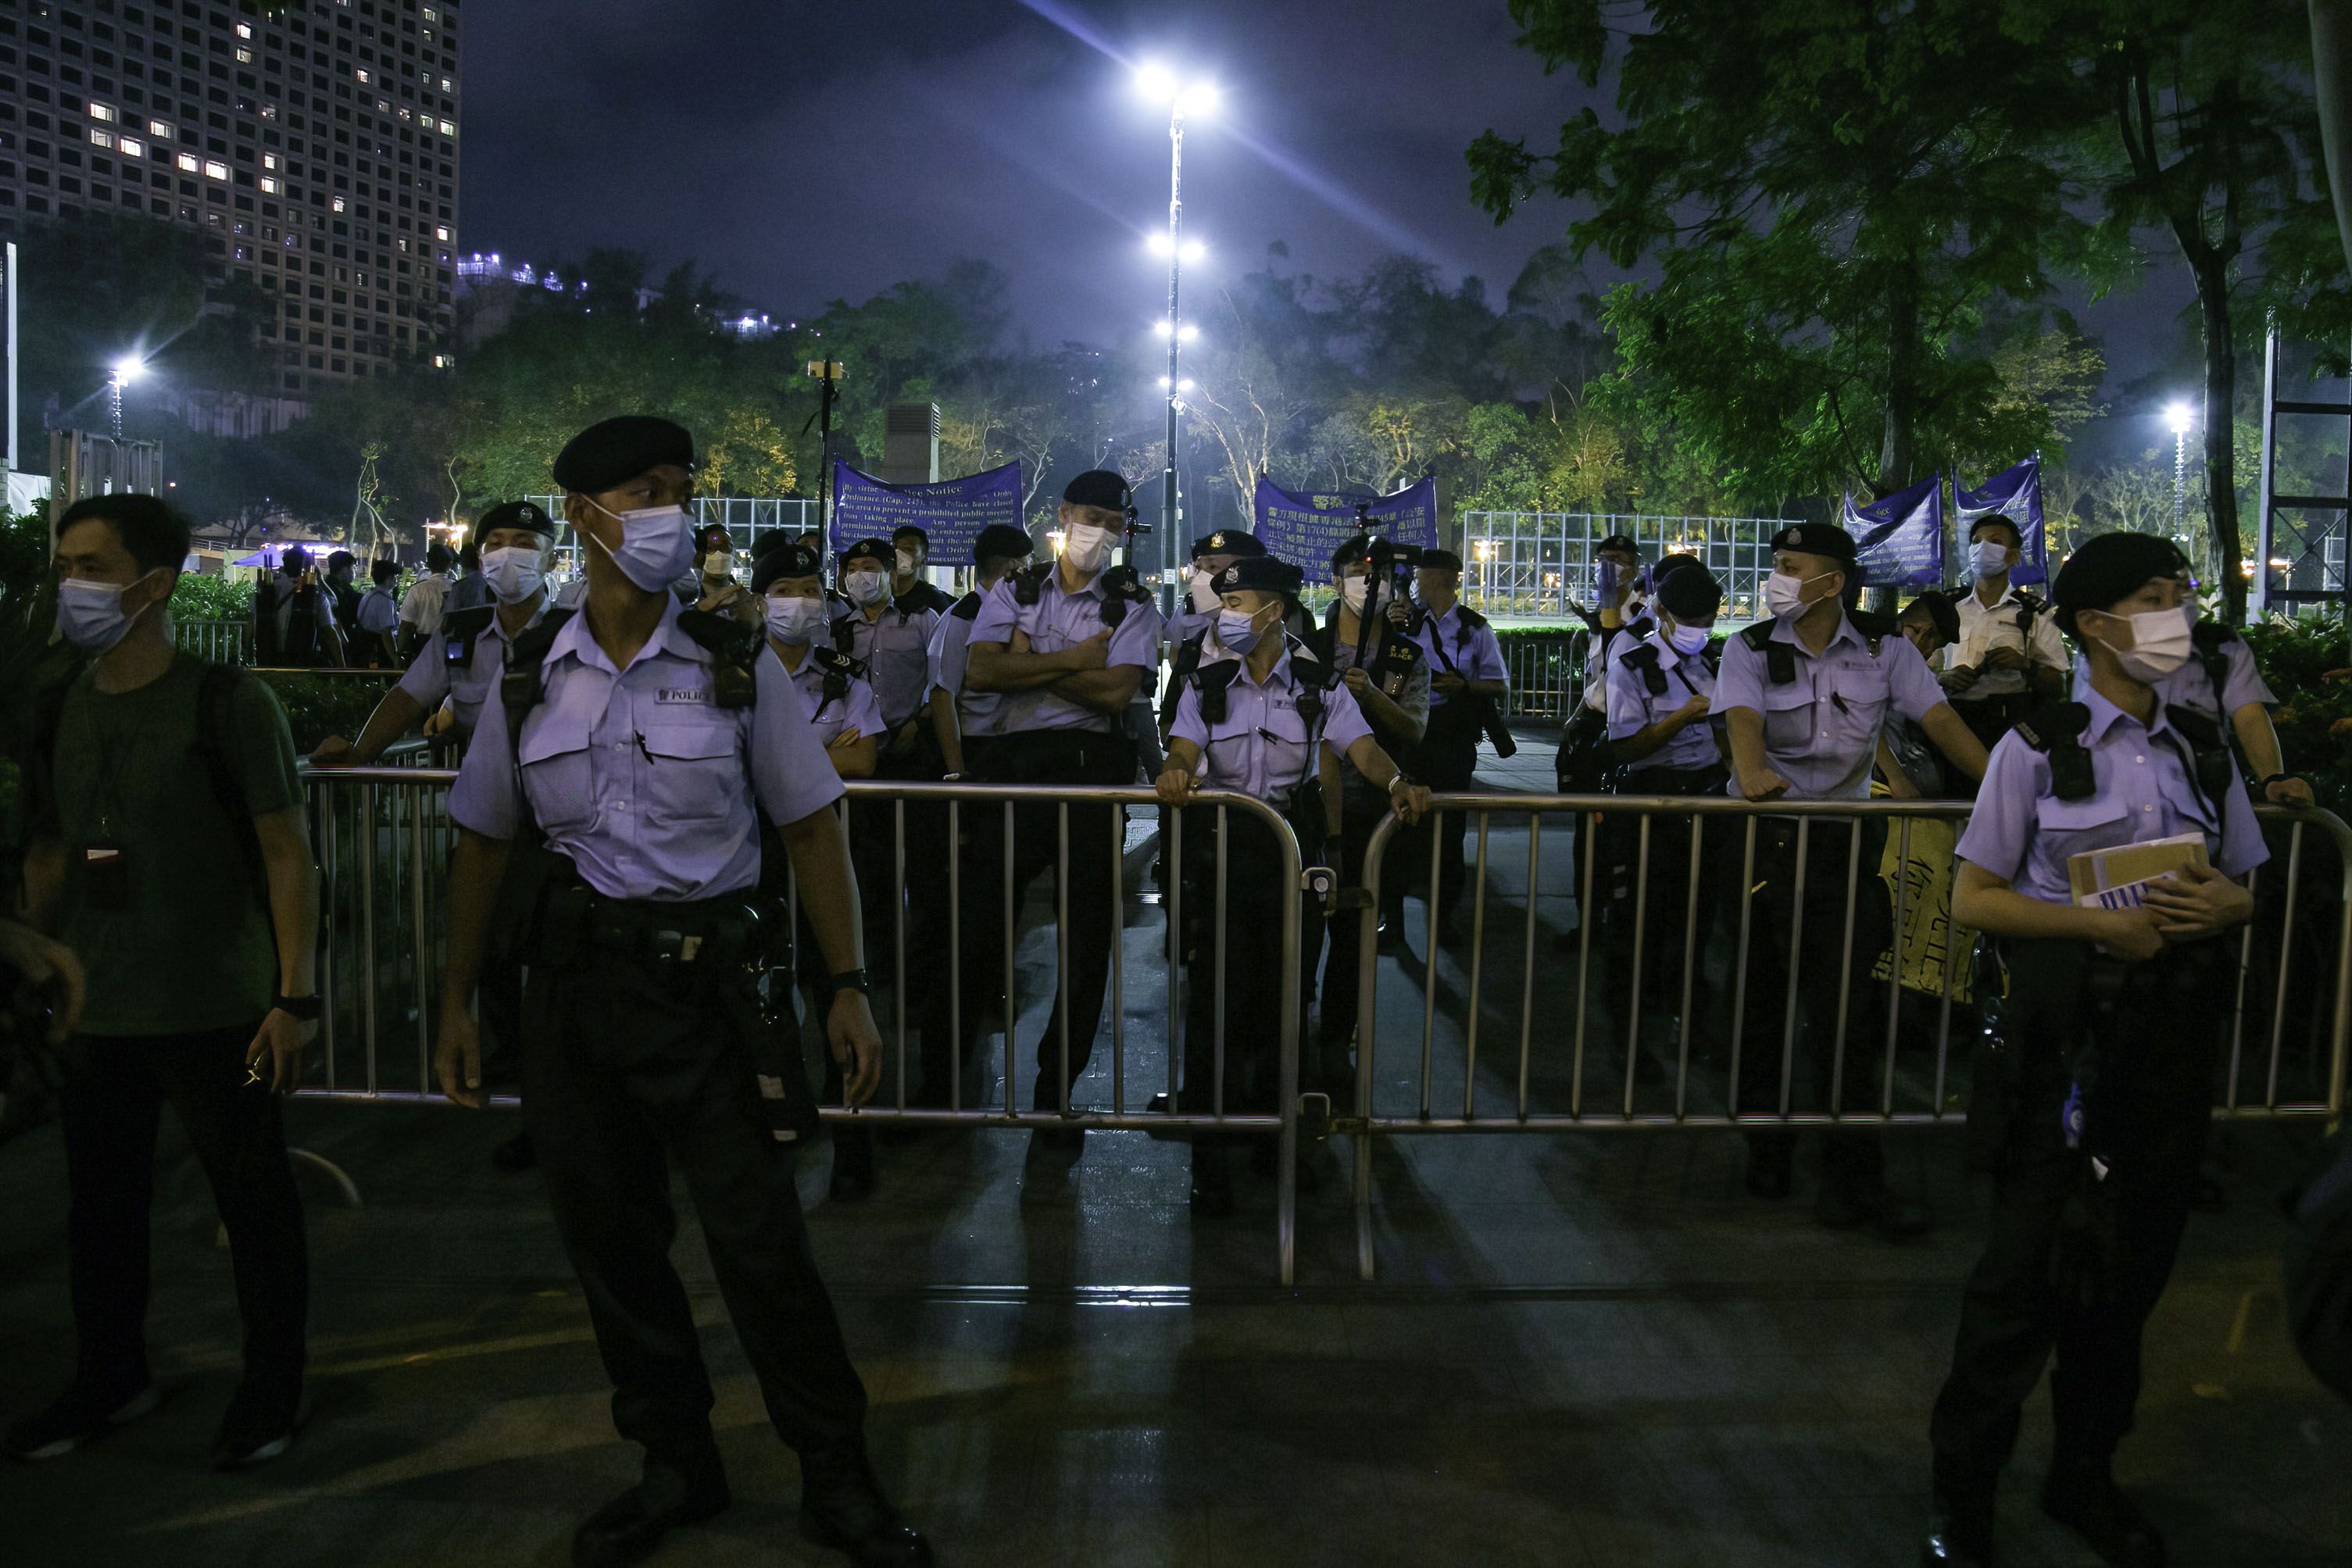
(2146, 791)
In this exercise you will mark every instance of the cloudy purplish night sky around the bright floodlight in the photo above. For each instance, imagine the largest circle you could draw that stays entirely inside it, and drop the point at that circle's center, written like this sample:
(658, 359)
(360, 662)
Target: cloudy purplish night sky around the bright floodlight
(813, 152)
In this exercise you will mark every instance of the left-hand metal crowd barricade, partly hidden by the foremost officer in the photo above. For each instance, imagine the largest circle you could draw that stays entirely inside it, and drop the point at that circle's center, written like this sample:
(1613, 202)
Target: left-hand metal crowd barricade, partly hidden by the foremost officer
(385, 843)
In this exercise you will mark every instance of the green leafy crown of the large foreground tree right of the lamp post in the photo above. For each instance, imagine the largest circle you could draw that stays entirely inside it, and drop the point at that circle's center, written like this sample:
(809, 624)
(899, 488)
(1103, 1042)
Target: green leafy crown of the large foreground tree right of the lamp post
(1831, 194)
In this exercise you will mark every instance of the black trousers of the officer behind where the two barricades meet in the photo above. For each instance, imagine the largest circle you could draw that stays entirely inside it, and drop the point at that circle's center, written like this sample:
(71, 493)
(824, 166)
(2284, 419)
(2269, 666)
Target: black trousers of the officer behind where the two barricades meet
(1252, 1080)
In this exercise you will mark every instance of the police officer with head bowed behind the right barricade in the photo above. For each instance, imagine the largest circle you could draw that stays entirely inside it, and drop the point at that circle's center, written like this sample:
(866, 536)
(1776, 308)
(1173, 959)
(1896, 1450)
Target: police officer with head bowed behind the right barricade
(1662, 742)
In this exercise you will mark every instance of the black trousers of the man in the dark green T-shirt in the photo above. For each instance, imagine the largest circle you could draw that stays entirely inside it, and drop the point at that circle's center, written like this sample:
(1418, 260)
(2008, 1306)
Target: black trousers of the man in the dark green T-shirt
(114, 1097)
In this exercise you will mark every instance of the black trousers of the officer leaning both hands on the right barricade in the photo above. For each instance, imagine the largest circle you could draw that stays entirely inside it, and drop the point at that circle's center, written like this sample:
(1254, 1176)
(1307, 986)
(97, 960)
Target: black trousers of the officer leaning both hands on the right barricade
(1845, 1153)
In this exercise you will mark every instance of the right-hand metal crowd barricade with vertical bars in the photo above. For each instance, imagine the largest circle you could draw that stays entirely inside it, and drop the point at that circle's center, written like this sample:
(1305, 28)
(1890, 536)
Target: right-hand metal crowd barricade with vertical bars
(2271, 979)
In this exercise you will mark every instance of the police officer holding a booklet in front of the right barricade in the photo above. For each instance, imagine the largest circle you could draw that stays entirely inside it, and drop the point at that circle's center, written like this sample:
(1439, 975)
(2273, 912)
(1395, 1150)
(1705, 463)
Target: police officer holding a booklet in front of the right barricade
(2116, 1017)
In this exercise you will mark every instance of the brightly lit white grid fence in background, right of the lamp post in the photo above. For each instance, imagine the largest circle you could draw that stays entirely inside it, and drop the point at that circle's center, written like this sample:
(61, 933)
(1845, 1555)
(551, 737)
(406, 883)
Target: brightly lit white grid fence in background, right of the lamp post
(1532, 565)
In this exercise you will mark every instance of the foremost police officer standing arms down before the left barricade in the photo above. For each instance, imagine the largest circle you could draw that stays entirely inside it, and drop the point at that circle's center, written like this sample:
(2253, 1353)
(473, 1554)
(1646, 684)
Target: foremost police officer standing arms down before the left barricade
(620, 775)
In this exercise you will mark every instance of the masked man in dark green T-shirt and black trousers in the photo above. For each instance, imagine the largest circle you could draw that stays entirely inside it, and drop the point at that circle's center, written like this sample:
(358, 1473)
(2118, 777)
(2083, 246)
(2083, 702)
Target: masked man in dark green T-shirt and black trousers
(173, 862)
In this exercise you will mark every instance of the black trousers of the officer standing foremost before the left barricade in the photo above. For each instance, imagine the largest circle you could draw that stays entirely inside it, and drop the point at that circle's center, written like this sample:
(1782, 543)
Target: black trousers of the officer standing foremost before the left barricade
(639, 1064)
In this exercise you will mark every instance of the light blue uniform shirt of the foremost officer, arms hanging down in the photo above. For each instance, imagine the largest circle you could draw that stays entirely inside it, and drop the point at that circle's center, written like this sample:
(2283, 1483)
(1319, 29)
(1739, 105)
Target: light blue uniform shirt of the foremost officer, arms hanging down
(639, 777)
